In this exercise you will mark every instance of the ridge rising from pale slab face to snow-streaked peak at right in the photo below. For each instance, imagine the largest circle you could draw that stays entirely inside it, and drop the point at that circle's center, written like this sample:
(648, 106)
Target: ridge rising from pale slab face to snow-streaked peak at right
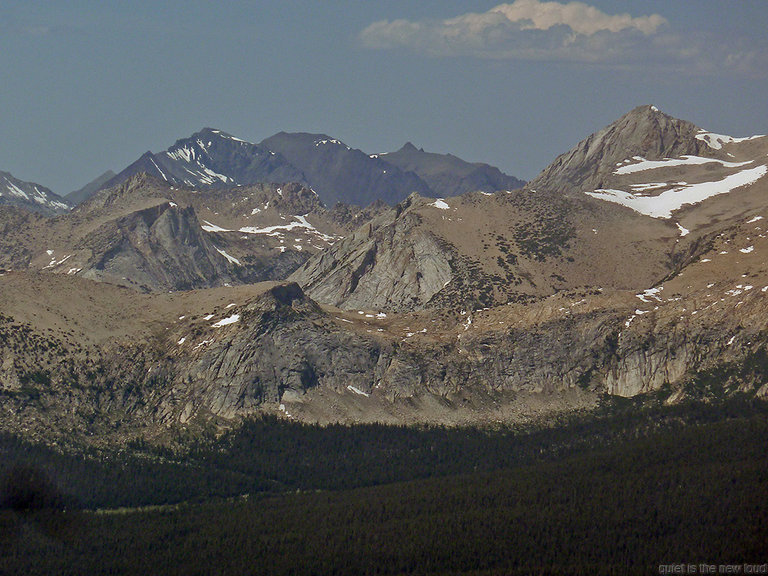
(488, 249)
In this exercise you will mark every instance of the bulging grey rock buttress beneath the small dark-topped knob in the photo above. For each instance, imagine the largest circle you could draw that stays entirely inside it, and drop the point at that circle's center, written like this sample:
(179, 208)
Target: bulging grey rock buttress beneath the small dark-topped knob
(283, 344)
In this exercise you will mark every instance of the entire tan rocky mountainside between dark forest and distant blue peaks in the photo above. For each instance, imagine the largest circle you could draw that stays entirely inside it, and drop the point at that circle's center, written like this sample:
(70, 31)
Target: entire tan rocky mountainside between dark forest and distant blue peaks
(483, 308)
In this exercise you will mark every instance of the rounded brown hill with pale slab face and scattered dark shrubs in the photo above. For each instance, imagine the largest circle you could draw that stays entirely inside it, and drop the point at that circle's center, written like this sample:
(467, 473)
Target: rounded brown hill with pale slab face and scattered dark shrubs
(481, 250)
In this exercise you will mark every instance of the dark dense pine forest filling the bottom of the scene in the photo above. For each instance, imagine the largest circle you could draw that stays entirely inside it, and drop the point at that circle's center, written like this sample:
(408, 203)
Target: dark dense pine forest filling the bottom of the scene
(622, 493)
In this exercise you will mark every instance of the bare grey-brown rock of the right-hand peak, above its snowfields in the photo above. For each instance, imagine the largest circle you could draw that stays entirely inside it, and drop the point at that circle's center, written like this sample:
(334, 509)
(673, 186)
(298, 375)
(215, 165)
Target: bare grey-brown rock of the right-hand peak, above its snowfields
(645, 131)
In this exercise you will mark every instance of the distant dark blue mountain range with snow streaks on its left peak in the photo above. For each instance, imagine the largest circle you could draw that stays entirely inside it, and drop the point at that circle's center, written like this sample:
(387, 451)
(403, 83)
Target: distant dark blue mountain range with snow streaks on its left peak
(337, 173)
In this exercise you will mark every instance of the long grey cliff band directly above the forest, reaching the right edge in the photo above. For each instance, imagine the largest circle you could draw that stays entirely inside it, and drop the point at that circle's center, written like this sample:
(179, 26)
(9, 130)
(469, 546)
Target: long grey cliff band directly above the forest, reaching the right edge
(286, 349)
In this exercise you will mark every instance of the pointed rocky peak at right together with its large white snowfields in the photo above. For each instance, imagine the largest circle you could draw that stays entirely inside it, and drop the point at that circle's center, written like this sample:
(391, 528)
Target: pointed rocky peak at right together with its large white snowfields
(658, 166)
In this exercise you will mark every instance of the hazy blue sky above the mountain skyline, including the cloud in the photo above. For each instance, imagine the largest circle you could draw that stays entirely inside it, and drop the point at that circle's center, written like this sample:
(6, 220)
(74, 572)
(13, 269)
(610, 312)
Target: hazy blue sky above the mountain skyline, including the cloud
(90, 86)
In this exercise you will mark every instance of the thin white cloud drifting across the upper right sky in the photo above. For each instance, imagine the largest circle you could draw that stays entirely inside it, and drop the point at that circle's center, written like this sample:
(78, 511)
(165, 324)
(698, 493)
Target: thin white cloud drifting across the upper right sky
(570, 32)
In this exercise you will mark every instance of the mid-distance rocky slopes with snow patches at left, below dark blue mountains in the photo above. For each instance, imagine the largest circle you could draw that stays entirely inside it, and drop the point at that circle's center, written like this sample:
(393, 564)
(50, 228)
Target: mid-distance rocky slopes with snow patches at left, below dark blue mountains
(149, 235)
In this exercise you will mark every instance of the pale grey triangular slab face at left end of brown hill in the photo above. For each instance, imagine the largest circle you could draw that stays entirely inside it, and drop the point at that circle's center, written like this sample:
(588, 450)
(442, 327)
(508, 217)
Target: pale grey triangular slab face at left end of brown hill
(391, 263)
